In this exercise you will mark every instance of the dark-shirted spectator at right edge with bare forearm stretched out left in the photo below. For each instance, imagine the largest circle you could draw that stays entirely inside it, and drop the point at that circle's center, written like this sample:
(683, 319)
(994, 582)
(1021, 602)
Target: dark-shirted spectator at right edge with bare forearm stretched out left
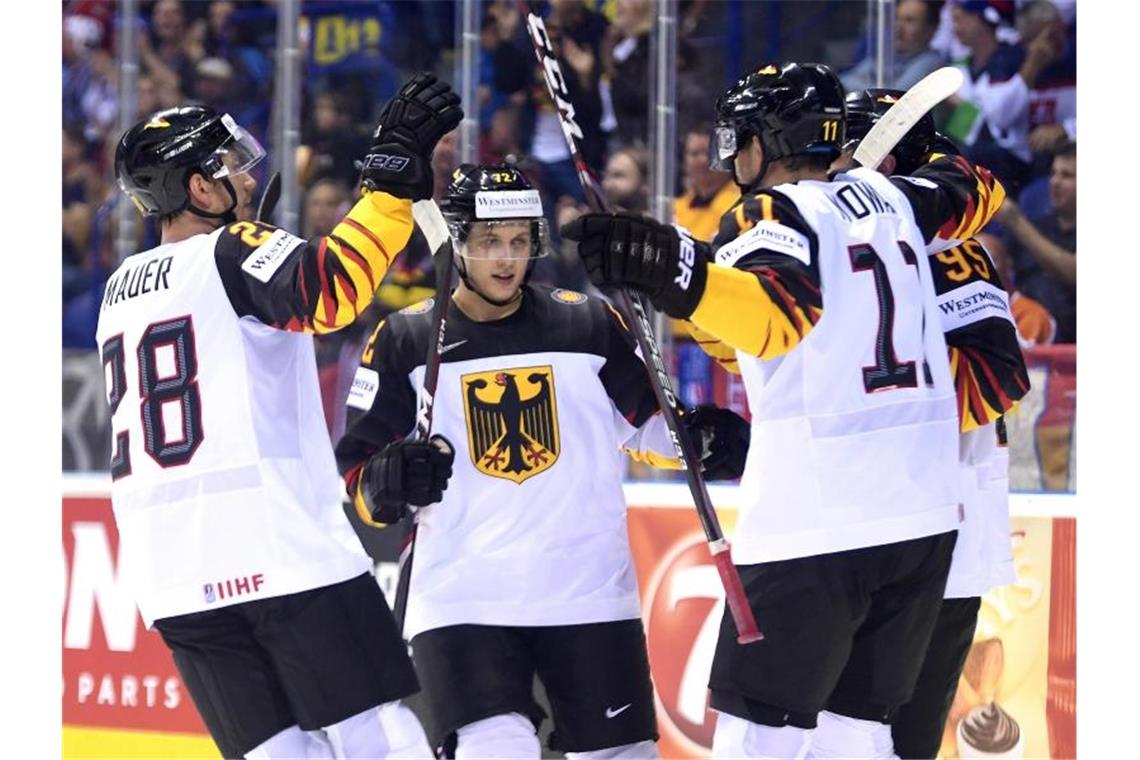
(1043, 252)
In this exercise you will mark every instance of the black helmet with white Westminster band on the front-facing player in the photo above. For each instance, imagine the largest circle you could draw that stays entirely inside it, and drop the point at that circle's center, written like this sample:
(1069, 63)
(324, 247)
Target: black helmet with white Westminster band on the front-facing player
(485, 193)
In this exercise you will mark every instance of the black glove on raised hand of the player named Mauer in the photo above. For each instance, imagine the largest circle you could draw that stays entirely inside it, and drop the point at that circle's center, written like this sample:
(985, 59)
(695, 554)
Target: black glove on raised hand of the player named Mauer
(412, 124)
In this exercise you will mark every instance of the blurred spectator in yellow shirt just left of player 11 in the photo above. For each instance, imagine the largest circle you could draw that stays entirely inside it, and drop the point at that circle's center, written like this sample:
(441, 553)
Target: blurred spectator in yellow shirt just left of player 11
(709, 193)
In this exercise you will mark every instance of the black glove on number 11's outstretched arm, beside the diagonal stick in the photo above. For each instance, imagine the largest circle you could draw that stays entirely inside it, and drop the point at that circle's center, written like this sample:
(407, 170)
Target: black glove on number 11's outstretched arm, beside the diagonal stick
(644, 255)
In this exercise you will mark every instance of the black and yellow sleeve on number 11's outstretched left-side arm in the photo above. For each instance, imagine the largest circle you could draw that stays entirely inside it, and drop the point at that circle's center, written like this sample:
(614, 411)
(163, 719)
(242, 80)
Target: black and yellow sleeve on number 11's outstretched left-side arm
(769, 299)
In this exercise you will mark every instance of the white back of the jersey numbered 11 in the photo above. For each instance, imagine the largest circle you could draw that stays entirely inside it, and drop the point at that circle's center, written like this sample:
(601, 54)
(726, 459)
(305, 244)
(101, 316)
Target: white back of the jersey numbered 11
(854, 431)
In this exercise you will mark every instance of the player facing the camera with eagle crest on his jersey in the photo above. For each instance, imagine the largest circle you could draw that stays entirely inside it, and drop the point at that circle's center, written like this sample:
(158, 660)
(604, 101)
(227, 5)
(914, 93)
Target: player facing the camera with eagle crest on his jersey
(524, 567)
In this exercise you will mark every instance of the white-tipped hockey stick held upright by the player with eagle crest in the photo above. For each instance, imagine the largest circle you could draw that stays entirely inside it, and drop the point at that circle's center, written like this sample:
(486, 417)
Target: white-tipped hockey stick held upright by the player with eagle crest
(431, 223)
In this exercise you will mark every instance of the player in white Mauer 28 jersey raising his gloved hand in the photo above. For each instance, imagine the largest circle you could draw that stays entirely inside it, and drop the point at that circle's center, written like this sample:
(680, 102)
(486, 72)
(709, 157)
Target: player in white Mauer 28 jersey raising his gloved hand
(225, 487)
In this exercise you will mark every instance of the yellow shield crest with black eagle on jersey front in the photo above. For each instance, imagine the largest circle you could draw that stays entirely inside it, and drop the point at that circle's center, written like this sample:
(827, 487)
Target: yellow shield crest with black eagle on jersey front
(512, 422)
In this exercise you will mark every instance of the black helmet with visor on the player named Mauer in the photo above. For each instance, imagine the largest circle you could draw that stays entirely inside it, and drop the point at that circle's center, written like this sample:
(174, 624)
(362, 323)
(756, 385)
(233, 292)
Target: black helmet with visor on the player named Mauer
(157, 158)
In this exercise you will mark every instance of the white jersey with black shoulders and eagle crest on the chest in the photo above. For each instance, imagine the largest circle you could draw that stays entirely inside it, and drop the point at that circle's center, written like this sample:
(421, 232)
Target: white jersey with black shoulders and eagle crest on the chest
(532, 529)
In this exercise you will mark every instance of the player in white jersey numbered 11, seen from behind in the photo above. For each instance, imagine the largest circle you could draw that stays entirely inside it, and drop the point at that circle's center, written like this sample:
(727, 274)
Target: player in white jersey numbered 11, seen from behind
(850, 496)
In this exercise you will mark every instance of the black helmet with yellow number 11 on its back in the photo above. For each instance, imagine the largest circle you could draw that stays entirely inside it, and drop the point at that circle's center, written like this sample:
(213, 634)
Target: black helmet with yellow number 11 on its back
(794, 109)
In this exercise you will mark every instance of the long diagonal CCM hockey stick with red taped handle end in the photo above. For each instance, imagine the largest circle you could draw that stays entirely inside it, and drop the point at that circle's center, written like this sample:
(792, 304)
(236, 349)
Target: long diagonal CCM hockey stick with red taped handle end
(631, 304)
